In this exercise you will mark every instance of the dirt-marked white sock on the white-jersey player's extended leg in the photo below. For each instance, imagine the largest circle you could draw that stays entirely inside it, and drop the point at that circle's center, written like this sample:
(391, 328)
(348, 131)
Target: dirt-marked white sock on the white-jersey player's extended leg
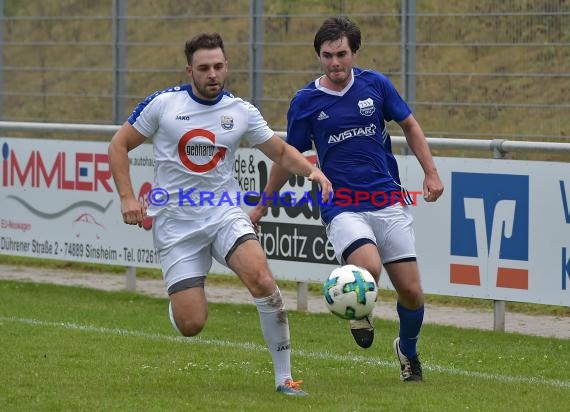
(275, 328)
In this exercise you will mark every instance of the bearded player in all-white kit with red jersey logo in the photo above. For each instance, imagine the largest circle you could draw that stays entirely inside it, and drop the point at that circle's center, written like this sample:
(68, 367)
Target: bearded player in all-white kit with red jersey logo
(195, 130)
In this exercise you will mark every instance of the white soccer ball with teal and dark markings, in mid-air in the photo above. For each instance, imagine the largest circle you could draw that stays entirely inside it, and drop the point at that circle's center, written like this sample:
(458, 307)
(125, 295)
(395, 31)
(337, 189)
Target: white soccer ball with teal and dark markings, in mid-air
(350, 292)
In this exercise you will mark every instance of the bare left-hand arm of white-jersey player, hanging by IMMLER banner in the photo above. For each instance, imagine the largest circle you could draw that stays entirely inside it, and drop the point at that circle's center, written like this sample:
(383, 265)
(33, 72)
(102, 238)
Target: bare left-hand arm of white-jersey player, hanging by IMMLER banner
(124, 140)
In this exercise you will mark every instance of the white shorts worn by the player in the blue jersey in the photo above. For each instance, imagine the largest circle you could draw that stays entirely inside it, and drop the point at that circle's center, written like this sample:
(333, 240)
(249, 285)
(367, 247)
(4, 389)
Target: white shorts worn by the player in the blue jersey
(391, 229)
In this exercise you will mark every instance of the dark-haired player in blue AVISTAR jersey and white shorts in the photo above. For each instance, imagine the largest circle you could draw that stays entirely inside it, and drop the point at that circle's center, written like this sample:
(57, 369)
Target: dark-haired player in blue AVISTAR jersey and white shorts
(343, 114)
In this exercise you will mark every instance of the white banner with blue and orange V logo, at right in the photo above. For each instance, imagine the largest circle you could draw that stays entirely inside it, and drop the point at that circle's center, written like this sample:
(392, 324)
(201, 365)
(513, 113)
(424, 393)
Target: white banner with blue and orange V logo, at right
(501, 230)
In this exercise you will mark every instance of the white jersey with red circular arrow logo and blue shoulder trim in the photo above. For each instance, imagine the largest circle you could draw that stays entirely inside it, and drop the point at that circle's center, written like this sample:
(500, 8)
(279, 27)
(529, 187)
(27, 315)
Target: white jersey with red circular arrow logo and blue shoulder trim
(194, 144)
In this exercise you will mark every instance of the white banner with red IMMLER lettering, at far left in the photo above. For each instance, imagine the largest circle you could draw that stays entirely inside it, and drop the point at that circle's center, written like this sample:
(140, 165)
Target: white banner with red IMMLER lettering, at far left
(58, 201)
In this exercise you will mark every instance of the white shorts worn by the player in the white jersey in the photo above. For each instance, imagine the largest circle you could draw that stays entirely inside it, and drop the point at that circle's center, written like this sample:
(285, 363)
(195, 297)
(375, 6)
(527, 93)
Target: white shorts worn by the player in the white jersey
(186, 247)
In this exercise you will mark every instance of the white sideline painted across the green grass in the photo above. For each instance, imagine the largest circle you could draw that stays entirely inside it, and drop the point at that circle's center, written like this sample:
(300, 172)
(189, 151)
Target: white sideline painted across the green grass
(534, 380)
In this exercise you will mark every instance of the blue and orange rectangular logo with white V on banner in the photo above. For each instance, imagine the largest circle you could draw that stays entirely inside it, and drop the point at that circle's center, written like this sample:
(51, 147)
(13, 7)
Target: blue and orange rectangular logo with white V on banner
(489, 229)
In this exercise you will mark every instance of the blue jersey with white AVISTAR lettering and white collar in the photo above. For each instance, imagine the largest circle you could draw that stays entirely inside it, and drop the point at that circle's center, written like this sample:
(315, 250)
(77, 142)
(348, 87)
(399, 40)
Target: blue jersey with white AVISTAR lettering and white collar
(353, 146)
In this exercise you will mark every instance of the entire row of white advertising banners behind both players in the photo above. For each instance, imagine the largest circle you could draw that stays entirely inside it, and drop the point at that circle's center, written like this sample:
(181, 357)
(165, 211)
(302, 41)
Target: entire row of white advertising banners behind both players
(500, 231)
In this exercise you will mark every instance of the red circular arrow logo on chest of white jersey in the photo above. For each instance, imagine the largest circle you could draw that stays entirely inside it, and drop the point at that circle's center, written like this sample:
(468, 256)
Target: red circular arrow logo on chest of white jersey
(186, 151)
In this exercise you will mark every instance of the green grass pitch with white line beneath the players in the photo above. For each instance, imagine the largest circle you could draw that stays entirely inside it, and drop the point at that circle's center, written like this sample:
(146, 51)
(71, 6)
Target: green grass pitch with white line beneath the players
(67, 348)
